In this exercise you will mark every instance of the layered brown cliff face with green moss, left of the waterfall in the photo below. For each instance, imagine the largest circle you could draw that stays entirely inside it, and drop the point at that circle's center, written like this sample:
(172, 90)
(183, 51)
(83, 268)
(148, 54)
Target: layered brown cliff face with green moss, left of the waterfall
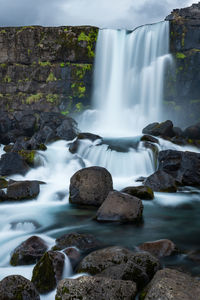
(46, 68)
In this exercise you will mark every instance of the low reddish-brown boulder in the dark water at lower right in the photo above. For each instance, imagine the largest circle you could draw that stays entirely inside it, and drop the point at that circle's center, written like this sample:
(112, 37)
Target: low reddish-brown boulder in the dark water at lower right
(160, 248)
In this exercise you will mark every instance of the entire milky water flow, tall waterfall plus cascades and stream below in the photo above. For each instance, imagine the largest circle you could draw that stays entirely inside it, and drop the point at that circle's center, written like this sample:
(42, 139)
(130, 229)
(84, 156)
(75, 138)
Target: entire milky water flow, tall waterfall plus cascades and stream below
(128, 89)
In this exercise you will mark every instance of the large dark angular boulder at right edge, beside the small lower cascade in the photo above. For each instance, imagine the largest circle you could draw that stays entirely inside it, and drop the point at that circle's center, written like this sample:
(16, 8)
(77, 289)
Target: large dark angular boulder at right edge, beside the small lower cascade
(183, 166)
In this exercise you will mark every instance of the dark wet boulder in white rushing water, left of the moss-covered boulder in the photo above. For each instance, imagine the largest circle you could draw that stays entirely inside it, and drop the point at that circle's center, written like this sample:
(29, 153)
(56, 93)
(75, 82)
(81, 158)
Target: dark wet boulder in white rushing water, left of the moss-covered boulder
(28, 252)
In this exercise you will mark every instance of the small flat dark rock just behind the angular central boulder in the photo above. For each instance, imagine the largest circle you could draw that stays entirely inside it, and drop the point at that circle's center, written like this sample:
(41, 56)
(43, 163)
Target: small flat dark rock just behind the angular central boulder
(142, 192)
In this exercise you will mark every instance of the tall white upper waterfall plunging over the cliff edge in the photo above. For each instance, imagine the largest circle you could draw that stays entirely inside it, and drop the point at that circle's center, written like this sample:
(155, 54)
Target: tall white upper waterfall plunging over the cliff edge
(128, 79)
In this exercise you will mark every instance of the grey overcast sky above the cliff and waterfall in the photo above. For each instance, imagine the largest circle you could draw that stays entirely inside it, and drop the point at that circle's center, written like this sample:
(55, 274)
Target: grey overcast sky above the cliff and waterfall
(102, 13)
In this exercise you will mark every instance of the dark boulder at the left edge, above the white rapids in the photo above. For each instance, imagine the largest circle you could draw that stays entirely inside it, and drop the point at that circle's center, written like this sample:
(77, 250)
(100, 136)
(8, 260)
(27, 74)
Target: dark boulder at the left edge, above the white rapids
(12, 163)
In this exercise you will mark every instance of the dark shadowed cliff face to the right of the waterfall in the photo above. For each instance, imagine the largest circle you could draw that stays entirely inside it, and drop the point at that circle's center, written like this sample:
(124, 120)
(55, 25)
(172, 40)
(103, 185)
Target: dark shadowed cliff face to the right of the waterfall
(182, 88)
